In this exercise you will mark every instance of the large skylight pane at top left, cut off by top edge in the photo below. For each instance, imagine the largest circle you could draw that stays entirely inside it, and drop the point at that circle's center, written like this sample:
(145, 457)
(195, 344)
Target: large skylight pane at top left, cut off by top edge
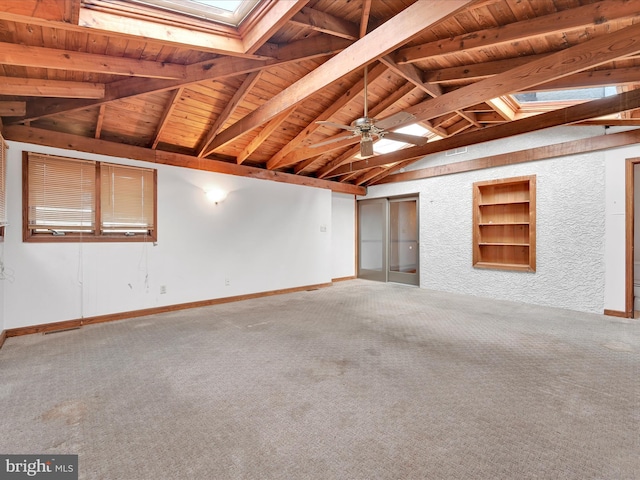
(229, 12)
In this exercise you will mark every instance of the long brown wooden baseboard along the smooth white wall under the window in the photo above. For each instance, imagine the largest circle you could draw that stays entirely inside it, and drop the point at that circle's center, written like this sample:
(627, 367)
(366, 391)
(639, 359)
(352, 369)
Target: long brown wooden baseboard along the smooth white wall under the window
(113, 317)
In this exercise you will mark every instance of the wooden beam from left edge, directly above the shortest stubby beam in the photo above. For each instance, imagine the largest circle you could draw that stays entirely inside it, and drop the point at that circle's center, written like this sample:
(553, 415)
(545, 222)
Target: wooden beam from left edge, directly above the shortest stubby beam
(40, 57)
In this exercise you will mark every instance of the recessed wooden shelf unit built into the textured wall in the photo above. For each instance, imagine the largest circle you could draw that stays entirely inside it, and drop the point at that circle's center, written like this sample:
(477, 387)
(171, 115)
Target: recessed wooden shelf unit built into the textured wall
(504, 224)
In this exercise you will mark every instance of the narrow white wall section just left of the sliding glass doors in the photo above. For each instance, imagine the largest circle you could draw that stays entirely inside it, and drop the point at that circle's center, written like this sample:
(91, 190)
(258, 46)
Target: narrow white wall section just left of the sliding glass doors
(343, 241)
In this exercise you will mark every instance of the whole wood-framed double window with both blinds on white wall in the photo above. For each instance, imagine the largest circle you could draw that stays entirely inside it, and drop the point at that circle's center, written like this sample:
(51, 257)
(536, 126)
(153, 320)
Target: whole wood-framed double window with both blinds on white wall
(68, 199)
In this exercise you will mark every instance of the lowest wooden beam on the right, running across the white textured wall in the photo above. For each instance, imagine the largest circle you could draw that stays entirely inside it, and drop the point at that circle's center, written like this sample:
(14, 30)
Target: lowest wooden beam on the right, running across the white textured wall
(574, 147)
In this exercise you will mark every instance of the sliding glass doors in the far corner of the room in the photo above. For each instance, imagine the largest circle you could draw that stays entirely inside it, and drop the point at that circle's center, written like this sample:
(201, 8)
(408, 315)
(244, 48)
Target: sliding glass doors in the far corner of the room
(388, 240)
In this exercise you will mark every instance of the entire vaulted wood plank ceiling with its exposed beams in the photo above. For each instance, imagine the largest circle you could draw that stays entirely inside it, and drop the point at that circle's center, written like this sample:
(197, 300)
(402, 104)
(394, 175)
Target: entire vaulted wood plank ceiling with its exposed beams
(115, 76)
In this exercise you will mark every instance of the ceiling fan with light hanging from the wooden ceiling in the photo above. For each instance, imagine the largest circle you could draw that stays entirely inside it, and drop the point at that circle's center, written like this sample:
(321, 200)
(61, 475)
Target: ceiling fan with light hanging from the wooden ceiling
(367, 128)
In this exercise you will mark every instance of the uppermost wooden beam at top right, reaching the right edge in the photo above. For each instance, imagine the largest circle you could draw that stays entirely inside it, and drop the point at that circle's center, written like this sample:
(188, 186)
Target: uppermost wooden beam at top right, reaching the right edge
(559, 22)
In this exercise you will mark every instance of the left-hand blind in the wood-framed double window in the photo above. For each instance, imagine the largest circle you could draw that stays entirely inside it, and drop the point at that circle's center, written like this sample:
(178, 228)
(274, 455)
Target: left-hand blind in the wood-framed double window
(61, 193)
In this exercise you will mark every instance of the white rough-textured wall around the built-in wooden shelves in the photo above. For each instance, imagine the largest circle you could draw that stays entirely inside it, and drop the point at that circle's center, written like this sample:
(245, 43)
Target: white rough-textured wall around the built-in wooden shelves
(570, 228)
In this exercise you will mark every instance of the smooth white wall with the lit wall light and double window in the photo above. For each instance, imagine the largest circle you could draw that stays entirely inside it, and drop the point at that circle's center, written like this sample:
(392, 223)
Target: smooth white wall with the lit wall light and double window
(265, 236)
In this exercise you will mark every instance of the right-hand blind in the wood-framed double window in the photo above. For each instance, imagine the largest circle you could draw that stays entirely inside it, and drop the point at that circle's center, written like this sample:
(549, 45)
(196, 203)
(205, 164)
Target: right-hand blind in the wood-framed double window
(127, 198)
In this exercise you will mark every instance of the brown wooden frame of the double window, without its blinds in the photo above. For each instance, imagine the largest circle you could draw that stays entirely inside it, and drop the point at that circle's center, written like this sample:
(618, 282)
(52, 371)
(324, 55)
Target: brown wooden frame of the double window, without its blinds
(96, 235)
